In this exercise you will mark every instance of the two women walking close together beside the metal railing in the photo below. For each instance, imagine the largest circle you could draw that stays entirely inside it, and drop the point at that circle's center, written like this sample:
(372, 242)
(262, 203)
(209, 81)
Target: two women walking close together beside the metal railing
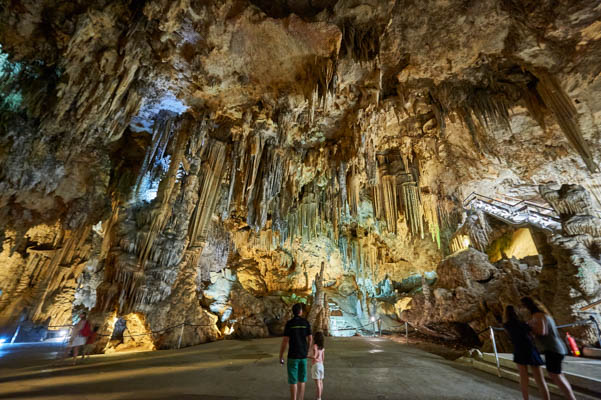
(530, 339)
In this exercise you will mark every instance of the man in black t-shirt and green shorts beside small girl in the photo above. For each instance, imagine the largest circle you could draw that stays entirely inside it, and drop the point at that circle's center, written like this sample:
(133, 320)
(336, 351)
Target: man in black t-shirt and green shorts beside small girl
(297, 337)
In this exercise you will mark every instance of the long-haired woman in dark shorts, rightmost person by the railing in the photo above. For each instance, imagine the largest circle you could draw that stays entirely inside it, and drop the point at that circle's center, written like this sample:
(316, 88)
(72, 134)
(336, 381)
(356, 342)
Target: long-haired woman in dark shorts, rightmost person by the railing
(549, 343)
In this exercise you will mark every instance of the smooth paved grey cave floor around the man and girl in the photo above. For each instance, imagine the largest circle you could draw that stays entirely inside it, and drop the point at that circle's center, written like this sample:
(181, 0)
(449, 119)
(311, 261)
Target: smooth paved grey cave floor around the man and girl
(355, 368)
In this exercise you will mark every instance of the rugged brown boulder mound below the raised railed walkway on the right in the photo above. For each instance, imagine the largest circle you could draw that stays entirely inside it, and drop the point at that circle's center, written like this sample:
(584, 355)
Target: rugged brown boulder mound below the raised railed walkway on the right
(470, 295)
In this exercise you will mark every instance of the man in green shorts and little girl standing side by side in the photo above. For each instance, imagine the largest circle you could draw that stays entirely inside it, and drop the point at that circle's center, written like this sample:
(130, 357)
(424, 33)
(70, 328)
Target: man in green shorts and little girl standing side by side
(302, 345)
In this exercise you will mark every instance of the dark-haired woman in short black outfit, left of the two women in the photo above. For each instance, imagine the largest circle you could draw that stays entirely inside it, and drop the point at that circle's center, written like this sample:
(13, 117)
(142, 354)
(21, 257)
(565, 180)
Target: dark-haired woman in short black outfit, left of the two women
(524, 352)
